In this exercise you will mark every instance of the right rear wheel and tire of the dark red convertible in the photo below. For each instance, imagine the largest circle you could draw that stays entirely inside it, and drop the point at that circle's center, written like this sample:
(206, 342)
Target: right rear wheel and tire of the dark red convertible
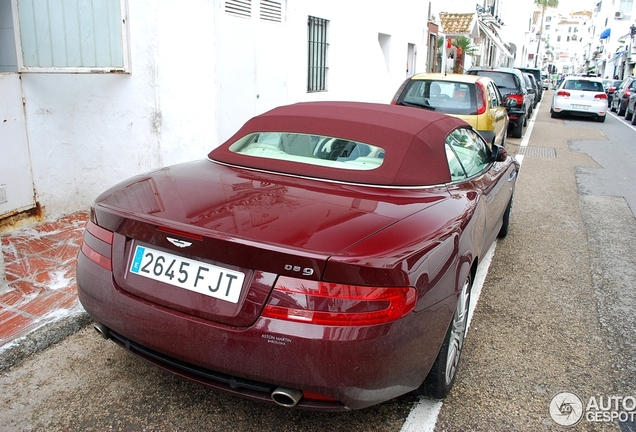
(441, 377)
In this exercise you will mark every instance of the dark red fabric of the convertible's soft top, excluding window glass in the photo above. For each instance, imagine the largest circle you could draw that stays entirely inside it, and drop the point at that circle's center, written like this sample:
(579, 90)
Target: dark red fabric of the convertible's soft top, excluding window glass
(413, 139)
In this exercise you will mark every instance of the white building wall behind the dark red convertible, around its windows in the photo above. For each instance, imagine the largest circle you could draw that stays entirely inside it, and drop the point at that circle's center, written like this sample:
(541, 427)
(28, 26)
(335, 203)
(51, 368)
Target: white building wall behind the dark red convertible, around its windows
(197, 75)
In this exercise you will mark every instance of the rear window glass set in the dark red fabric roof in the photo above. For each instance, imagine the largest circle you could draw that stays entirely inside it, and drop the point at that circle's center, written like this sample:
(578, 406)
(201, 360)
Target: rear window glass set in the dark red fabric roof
(311, 149)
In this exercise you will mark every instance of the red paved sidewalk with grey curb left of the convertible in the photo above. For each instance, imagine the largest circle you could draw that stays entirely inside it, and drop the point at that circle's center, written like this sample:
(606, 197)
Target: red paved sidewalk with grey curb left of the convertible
(38, 293)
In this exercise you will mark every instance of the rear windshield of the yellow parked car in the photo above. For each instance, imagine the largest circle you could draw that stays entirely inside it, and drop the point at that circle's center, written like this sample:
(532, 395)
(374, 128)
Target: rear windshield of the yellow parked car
(443, 96)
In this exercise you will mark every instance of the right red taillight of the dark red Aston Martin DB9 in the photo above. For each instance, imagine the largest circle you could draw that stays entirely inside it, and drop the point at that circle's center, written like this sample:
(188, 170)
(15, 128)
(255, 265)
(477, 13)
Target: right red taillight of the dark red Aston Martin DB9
(324, 303)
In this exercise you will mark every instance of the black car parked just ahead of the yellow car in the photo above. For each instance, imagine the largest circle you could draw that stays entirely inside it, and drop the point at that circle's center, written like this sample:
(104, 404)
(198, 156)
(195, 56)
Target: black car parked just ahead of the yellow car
(512, 86)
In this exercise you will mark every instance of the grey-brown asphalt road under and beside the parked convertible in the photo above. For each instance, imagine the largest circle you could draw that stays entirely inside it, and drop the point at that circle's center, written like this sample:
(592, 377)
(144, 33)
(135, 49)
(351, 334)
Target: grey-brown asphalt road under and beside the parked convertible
(556, 314)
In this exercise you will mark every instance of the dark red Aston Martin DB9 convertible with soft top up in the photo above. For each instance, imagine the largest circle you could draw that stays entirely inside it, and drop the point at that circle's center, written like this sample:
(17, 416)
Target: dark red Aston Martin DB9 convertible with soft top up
(321, 258)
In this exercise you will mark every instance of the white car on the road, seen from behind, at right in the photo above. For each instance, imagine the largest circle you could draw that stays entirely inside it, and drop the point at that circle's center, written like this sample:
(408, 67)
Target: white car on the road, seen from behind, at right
(580, 96)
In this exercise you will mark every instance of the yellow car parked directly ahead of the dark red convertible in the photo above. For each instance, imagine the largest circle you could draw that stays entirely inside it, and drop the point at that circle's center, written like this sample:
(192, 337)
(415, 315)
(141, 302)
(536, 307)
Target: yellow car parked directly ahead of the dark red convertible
(473, 98)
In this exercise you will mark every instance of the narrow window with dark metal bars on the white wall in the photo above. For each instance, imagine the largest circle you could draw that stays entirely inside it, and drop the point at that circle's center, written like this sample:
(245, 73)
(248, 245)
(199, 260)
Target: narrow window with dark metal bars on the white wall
(317, 54)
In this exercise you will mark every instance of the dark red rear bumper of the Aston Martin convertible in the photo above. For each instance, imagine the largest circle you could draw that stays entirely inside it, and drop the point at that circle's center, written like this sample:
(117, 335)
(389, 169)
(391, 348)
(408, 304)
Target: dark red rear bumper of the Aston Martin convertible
(357, 366)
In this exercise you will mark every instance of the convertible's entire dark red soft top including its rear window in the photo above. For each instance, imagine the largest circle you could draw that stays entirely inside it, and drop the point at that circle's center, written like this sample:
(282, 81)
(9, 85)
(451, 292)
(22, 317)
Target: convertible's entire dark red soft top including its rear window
(362, 143)
